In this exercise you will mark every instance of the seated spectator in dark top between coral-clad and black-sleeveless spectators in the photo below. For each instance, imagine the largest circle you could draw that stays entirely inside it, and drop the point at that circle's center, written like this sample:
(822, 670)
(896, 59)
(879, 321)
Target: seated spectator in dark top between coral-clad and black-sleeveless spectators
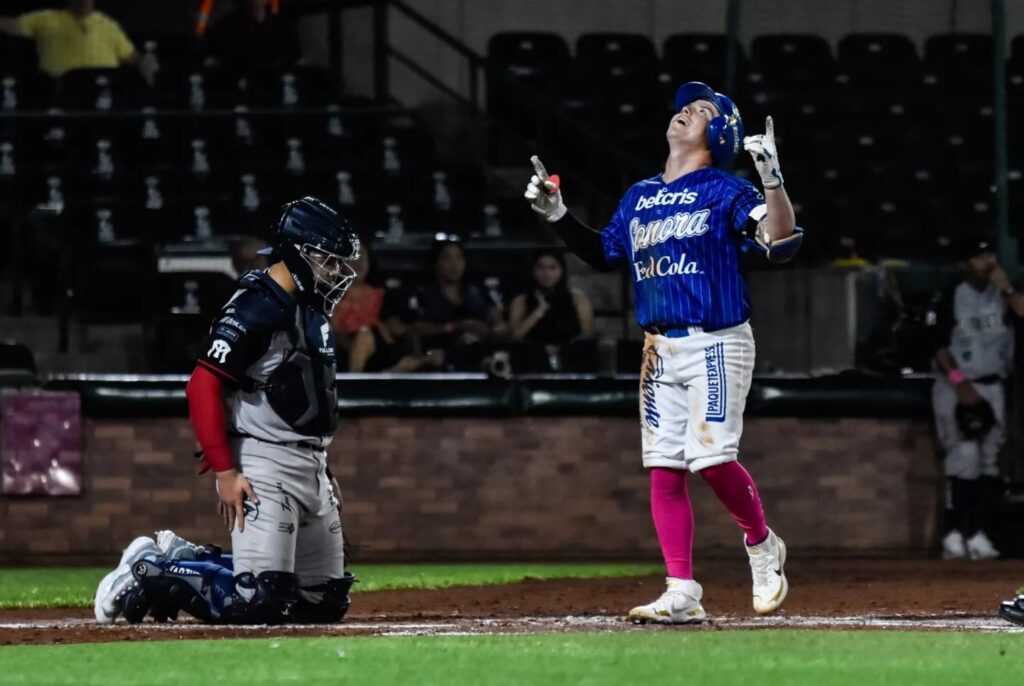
(455, 317)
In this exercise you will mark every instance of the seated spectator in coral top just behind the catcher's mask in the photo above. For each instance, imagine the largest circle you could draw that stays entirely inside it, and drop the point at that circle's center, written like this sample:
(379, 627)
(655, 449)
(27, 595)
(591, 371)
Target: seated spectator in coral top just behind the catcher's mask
(368, 326)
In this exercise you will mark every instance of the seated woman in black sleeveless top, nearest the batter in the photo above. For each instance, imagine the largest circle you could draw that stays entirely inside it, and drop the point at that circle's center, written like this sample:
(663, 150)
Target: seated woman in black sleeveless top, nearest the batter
(551, 316)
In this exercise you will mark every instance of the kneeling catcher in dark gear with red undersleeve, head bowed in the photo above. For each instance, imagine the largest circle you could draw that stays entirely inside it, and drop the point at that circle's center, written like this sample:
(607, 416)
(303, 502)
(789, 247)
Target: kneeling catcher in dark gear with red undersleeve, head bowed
(264, 407)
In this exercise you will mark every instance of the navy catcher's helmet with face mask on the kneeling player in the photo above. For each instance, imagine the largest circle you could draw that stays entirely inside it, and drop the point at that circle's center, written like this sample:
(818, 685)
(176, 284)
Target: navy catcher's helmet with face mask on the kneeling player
(317, 245)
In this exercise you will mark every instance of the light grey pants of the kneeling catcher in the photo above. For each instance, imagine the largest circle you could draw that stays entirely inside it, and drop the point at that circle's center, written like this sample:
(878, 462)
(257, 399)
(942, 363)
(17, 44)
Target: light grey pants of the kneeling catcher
(296, 527)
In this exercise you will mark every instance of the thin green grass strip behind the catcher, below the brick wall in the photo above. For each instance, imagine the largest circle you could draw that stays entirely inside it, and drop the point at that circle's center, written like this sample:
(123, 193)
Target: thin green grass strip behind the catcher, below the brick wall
(74, 588)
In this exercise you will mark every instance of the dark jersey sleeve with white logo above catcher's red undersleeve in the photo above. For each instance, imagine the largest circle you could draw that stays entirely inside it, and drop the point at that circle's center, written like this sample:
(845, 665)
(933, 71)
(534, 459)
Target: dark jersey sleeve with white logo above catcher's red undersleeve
(240, 336)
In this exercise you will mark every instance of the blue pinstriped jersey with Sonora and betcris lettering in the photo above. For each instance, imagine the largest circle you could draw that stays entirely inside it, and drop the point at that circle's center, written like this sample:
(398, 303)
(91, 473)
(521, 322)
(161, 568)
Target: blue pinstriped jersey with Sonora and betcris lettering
(682, 242)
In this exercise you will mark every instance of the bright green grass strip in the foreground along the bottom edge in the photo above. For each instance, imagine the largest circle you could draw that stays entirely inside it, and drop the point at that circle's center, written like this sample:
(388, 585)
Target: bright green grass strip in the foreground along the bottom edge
(702, 658)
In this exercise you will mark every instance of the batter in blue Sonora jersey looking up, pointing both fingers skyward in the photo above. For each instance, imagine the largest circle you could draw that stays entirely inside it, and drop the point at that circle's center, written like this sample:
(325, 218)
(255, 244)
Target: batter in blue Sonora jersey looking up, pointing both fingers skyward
(680, 235)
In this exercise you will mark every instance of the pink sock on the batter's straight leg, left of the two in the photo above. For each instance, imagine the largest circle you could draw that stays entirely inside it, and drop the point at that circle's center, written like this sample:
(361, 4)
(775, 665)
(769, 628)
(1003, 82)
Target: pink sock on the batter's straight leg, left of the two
(670, 507)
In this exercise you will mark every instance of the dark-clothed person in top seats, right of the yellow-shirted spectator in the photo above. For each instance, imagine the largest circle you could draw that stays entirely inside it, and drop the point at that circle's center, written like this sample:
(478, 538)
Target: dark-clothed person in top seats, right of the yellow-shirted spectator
(252, 38)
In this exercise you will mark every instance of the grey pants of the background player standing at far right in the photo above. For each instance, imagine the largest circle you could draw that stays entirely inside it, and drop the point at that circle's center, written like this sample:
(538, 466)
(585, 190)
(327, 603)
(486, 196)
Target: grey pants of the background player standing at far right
(969, 459)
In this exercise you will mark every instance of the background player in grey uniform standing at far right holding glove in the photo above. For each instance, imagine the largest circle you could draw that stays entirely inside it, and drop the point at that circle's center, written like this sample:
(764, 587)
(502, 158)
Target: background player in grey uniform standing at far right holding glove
(974, 357)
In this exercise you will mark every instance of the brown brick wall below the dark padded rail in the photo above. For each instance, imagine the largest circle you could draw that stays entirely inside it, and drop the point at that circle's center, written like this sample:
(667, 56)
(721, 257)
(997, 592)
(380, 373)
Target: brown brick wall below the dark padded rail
(539, 488)
